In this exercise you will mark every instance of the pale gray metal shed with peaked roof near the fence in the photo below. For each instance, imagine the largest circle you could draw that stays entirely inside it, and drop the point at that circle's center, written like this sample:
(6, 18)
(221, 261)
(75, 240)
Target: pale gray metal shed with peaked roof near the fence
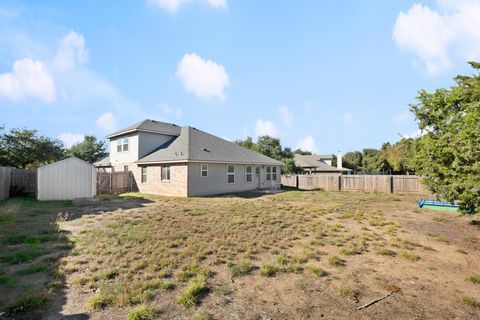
(67, 179)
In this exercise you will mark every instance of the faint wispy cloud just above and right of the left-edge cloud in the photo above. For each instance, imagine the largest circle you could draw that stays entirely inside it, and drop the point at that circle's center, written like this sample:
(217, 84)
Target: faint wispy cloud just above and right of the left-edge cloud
(70, 52)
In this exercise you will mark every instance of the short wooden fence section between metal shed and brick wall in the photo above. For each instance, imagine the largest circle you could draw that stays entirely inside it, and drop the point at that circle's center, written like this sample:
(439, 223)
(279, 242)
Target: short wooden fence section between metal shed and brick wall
(115, 182)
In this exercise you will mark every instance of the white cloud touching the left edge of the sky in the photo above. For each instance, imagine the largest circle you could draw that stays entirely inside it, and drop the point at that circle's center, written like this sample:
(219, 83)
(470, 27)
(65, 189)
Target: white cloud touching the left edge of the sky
(29, 78)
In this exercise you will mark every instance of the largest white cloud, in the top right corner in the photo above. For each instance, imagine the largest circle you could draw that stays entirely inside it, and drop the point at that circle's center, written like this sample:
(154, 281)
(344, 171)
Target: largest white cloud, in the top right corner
(434, 36)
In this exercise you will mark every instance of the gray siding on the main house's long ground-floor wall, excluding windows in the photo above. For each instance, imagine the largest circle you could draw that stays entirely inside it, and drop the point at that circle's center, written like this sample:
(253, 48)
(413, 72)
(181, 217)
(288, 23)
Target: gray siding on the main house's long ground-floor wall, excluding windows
(216, 181)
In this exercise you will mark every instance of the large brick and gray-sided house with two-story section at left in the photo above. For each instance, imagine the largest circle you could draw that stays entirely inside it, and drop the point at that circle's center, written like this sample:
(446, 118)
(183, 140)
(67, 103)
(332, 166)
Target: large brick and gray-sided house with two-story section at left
(167, 159)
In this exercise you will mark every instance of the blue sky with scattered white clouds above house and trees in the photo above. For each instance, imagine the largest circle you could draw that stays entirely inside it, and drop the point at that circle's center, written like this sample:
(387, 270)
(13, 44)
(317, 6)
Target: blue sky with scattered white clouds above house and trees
(322, 75)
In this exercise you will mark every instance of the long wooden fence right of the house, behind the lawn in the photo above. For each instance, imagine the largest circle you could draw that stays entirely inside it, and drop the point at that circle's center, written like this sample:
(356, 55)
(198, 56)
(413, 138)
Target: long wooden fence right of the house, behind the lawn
(361, 183)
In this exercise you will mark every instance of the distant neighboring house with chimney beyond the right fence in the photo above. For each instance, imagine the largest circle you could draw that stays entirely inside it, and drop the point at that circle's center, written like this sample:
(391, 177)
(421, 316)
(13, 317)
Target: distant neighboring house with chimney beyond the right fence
(316, 164)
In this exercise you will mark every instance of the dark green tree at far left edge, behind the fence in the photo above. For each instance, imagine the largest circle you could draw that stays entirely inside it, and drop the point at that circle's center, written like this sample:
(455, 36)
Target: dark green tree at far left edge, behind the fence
(22, 148)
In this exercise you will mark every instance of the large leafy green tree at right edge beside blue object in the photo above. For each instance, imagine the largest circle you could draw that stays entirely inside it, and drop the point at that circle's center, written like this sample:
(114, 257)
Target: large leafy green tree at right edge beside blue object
(448, 153)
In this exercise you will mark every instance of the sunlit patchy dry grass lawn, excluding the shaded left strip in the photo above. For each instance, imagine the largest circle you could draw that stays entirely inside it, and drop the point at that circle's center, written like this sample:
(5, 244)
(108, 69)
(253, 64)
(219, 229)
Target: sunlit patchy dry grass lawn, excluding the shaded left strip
(294, 255)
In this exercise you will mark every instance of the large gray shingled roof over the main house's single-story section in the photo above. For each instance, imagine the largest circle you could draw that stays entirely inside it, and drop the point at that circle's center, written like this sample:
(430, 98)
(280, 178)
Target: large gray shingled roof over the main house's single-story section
(198, 146)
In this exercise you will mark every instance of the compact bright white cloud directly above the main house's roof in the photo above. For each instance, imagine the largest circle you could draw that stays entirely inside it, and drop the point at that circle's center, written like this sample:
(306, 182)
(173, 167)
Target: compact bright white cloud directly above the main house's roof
(205, 78)
